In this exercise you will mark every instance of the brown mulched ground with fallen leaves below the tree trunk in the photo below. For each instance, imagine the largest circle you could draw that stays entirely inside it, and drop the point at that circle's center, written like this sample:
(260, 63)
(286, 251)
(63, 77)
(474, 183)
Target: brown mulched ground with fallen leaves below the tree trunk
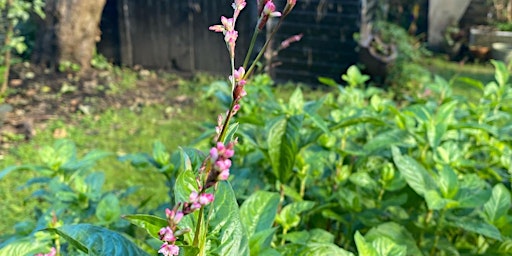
(38, 97)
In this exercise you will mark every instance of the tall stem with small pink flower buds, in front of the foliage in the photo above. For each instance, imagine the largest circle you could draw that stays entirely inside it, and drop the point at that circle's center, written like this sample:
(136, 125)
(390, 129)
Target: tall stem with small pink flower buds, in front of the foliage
(215, 167)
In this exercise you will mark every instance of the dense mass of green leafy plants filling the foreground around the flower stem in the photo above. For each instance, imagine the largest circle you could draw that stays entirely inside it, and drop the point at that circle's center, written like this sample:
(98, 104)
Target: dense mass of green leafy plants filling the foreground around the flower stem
(350, 172)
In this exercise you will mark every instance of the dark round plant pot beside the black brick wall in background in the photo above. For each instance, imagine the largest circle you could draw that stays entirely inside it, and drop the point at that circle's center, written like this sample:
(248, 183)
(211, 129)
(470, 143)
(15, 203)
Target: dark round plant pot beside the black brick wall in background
(376, 64)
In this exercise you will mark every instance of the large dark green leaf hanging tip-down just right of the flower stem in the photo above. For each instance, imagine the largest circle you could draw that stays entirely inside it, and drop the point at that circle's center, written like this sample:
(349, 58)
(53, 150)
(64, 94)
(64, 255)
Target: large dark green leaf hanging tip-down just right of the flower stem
(283, 145)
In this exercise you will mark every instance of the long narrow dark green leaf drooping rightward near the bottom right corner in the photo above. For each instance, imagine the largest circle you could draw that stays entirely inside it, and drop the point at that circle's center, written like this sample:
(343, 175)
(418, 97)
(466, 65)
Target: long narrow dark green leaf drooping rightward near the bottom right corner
(475, 225)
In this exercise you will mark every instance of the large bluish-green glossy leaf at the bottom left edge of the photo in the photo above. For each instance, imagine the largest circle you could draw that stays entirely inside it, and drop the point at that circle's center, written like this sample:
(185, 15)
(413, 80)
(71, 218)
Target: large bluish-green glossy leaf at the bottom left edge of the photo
(95, 240)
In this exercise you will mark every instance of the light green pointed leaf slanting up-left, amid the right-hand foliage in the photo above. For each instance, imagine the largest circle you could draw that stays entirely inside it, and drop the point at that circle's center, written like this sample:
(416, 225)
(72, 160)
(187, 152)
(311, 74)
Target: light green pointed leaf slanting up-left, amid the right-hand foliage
(414, 174)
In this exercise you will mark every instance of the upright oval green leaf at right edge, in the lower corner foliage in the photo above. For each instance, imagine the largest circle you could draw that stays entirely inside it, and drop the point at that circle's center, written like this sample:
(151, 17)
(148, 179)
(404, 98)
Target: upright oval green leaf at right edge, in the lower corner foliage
(498, 205)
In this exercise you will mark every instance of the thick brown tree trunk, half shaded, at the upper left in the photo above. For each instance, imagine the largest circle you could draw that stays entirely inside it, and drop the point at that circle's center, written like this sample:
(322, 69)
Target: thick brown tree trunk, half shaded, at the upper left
(69, 33)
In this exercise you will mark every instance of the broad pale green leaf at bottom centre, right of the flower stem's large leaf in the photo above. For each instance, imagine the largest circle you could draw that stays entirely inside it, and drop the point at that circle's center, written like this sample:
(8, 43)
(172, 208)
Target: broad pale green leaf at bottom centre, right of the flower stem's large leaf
(258, 211)
